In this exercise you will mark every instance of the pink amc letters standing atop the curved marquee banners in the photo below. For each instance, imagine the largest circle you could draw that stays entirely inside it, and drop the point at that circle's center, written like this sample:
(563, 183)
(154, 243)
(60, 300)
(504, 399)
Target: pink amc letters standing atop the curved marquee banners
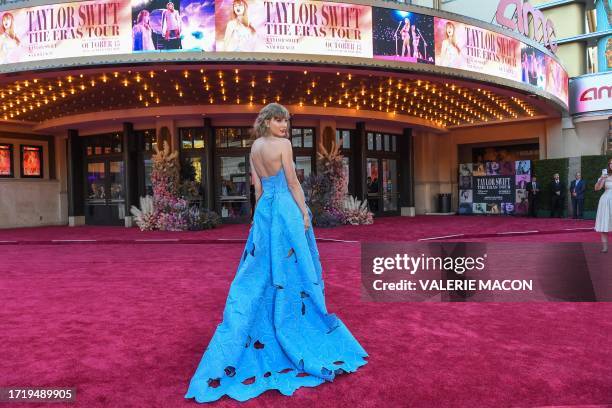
(543, 29)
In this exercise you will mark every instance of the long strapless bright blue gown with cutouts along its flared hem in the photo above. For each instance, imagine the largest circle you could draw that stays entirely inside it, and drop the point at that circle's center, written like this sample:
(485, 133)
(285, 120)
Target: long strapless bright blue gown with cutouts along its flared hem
(276, 332)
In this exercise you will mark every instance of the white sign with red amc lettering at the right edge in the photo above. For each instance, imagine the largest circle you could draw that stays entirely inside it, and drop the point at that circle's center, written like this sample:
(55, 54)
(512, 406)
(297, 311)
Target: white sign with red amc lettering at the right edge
(591, 93)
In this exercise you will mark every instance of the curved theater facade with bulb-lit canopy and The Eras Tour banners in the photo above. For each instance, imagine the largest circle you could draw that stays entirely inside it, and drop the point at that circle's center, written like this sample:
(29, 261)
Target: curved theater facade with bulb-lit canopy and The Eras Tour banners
(408, 90)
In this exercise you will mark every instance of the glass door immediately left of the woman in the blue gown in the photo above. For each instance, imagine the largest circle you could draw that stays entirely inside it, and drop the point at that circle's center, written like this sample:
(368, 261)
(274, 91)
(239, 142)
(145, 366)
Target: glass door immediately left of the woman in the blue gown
(234, 188)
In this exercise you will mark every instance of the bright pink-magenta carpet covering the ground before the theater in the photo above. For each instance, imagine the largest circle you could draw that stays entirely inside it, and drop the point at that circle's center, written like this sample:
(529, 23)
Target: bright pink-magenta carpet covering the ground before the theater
(126, 323)
